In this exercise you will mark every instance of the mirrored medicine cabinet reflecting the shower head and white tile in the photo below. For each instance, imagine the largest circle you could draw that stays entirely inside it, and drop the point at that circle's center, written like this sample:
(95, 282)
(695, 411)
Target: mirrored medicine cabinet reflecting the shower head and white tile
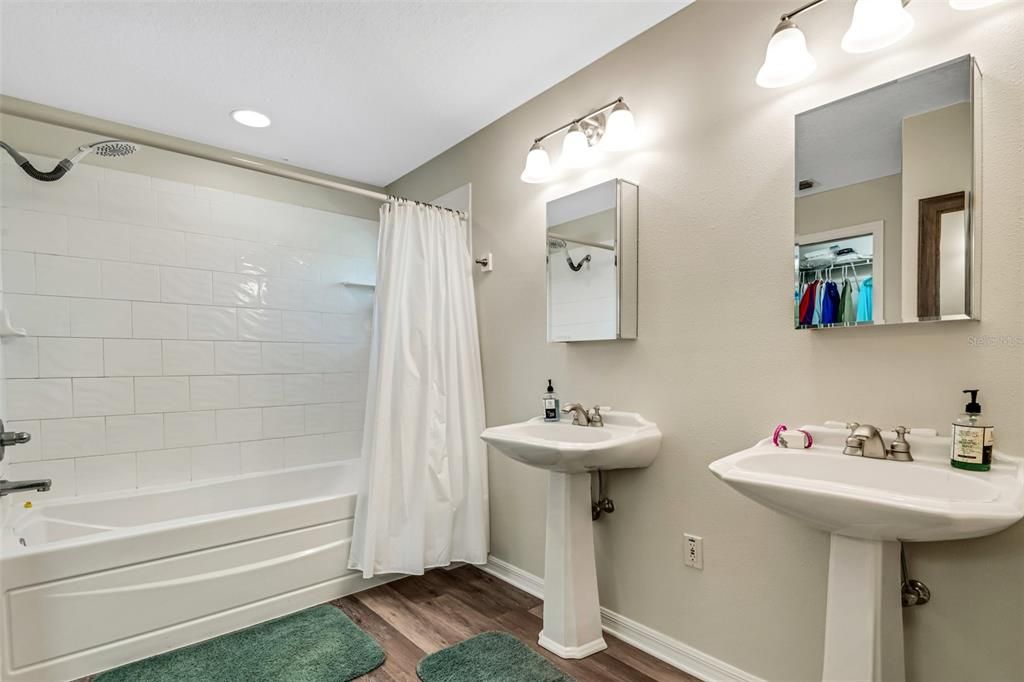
(592, 264)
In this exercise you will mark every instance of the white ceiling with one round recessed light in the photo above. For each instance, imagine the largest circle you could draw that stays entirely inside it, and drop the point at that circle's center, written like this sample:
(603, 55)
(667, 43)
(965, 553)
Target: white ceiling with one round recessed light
(364, 91)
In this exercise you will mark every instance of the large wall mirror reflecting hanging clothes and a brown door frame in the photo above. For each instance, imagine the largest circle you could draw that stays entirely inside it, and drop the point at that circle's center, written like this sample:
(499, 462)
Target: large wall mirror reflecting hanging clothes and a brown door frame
(887, 210)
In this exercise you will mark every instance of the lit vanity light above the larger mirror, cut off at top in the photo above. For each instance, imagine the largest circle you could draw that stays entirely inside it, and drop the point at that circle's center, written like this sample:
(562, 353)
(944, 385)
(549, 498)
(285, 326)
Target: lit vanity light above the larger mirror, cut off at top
(876, 24)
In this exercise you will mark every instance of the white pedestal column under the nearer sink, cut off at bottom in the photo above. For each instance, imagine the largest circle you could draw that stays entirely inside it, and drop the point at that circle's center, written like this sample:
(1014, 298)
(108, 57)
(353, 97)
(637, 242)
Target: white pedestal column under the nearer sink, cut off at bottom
(865, 615)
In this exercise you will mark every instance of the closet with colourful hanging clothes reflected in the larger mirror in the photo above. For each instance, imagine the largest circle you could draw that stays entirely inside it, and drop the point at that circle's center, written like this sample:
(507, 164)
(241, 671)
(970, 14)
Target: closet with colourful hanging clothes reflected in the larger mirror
(839, 278)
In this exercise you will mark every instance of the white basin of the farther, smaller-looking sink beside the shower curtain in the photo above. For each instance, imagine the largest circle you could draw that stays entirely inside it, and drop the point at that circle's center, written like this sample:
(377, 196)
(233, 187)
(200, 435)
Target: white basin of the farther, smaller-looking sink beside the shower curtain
(627, 441)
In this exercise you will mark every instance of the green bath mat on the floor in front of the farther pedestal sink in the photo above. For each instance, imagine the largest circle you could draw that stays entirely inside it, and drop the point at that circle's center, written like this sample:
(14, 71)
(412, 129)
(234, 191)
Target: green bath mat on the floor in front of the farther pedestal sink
(493, 657)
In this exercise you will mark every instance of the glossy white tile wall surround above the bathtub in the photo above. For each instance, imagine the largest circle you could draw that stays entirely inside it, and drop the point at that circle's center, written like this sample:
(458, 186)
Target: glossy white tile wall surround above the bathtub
(179, 333)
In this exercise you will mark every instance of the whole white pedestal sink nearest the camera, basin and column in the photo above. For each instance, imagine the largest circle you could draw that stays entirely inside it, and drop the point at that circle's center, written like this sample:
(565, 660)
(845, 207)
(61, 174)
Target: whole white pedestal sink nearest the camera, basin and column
(870, 506)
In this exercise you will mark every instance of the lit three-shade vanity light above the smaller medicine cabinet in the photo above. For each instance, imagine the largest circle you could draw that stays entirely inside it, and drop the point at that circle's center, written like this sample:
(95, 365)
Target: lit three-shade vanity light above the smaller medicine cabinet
(585, 140)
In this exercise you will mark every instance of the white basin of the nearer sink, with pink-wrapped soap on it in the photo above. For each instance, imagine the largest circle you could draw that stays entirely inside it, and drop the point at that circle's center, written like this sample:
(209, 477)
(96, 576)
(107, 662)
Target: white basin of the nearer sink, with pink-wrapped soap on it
(924, 500)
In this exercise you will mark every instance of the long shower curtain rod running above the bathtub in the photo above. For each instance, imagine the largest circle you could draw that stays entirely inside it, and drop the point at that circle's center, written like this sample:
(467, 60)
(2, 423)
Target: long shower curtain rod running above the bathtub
(54, 117)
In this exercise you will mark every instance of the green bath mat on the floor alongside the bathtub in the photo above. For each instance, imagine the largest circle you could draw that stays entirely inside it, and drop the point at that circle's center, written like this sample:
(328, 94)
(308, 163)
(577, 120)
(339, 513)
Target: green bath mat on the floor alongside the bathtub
(319, 645)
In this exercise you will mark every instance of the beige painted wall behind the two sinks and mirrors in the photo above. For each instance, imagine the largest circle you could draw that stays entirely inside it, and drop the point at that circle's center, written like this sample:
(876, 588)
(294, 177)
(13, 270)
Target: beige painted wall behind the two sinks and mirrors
(717, 364)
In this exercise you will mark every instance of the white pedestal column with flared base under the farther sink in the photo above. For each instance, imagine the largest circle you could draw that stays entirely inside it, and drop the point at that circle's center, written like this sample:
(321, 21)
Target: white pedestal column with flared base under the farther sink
(572, 611)
